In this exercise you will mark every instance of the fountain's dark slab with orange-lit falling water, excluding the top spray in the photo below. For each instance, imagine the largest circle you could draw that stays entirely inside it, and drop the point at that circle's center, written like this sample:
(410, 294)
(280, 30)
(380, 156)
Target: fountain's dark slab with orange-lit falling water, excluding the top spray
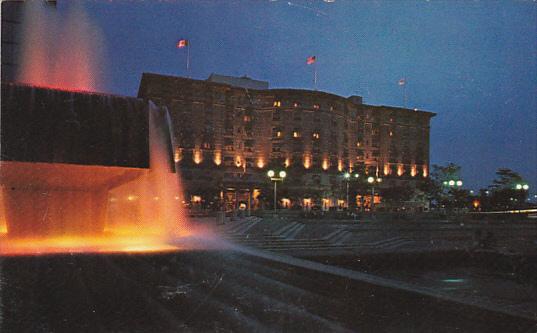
(86, 172)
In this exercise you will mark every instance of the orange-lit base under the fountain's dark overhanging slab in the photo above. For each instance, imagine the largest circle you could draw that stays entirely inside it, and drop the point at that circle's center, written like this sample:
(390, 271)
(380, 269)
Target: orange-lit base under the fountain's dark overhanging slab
(56, 198)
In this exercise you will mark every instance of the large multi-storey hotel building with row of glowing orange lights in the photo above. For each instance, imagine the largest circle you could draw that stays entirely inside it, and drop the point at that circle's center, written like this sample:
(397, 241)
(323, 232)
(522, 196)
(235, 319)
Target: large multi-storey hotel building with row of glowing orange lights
(229, 133)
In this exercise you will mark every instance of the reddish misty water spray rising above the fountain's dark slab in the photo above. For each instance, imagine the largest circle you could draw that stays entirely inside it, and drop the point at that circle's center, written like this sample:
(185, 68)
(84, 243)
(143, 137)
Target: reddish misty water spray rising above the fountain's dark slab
(60, 52)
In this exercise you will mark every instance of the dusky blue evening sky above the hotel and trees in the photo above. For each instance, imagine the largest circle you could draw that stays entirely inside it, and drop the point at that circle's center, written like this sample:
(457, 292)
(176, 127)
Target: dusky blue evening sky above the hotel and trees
(471, 62)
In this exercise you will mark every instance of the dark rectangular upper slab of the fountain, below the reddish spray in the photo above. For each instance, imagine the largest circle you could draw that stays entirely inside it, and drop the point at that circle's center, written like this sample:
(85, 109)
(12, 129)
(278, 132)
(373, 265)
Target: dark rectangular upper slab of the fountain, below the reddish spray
(56, 126)
